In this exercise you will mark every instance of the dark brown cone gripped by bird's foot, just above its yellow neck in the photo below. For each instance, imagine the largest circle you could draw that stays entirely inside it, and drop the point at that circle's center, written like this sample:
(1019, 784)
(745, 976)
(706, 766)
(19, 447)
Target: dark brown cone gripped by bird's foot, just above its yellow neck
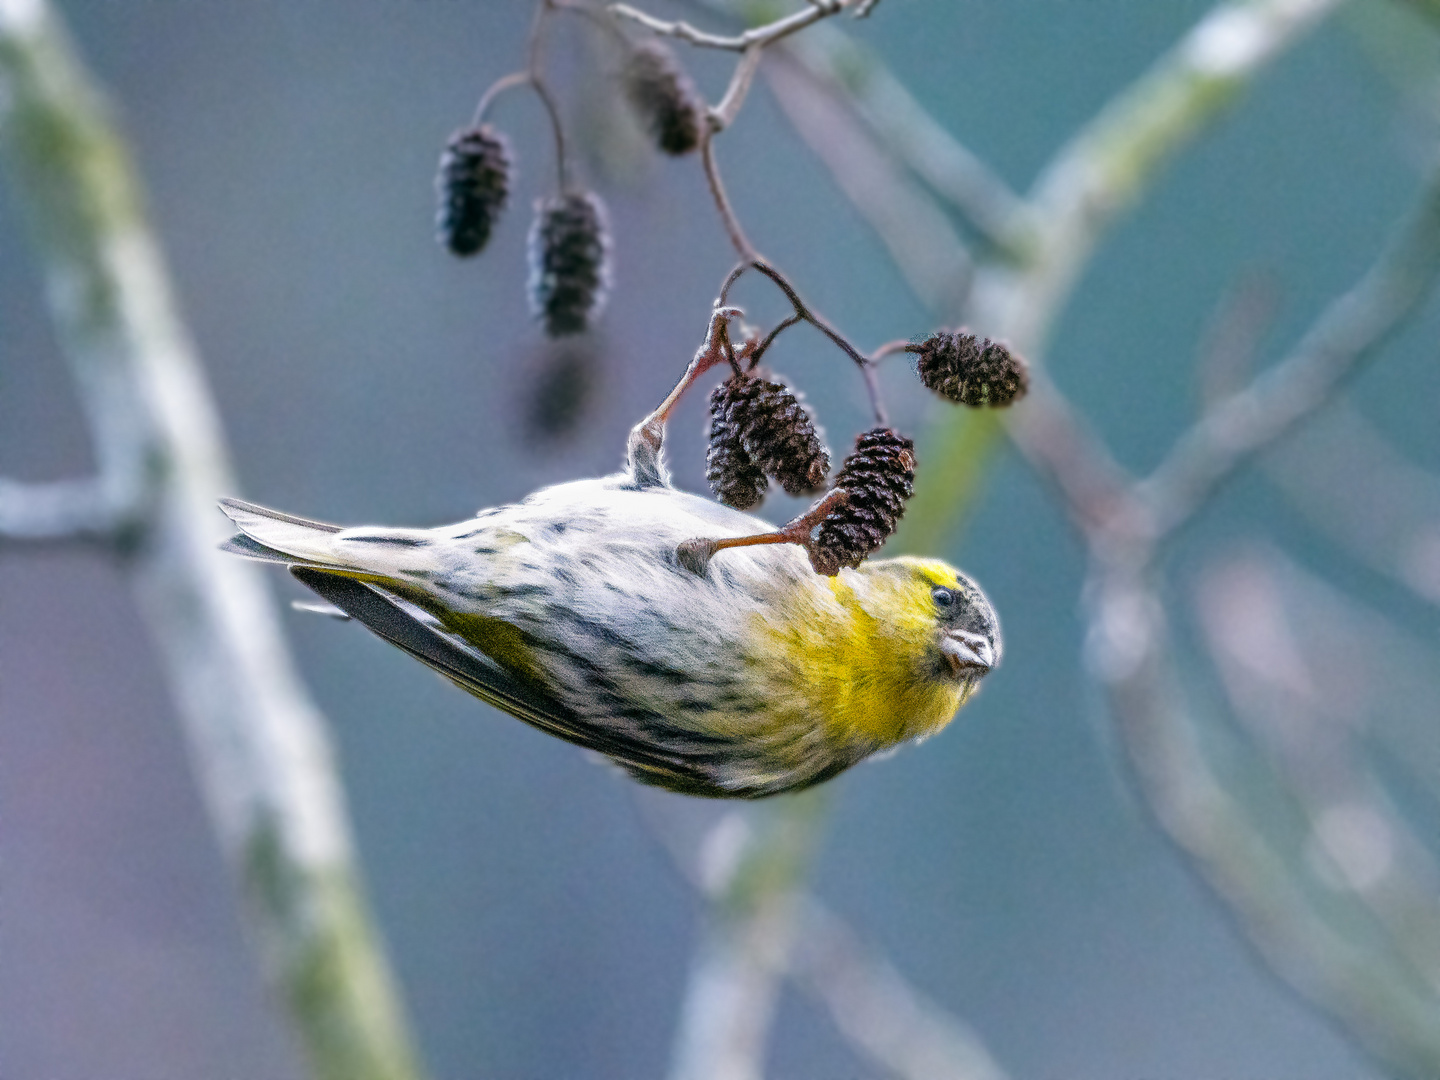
(879, 477)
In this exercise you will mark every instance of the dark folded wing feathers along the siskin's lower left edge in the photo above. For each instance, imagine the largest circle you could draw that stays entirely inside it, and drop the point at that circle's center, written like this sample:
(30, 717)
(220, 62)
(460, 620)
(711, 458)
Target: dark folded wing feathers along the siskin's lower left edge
(398, 623)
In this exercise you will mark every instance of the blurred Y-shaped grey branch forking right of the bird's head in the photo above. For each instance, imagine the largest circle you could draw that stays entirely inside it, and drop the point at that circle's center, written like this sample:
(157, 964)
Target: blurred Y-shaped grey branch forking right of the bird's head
(1318, 934)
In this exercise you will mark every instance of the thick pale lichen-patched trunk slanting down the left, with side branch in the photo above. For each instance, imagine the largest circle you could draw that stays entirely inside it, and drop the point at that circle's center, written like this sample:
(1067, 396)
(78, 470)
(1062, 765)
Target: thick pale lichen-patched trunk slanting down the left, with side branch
(261, 754)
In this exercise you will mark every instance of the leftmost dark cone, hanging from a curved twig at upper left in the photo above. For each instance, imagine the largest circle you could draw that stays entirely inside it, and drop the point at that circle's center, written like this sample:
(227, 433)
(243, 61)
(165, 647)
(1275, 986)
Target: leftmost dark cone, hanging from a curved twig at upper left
(473, 185)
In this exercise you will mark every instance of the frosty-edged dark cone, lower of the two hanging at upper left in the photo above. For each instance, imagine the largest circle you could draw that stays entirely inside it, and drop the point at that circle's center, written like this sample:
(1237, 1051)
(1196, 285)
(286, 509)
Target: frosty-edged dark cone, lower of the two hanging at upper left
(570, 261)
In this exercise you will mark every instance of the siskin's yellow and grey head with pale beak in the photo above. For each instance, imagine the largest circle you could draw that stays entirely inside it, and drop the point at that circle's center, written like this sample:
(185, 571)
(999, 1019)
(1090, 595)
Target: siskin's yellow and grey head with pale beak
(942, 614)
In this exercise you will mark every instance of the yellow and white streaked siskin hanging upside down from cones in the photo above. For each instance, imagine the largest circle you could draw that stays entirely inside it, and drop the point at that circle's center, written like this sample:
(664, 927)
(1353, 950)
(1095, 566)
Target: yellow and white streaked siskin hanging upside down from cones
(572, 613)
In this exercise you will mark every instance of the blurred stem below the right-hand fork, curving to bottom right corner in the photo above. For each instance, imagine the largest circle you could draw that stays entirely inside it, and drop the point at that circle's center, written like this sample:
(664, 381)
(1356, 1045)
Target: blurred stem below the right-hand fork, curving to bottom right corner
(1235, 845)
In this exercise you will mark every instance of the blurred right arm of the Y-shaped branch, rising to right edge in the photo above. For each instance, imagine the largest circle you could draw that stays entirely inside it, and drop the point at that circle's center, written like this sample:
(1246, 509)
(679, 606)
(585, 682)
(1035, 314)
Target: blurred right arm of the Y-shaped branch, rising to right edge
(1347, 333)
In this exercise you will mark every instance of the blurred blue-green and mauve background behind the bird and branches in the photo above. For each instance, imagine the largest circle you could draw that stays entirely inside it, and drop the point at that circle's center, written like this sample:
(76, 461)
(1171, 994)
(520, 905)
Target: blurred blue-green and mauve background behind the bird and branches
(536, 924)
